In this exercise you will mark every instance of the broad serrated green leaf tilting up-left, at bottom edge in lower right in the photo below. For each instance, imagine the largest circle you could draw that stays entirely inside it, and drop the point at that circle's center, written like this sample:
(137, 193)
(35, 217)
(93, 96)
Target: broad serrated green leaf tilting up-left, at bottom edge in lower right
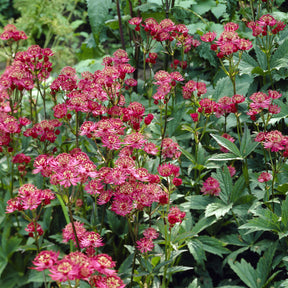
(245, 272)
